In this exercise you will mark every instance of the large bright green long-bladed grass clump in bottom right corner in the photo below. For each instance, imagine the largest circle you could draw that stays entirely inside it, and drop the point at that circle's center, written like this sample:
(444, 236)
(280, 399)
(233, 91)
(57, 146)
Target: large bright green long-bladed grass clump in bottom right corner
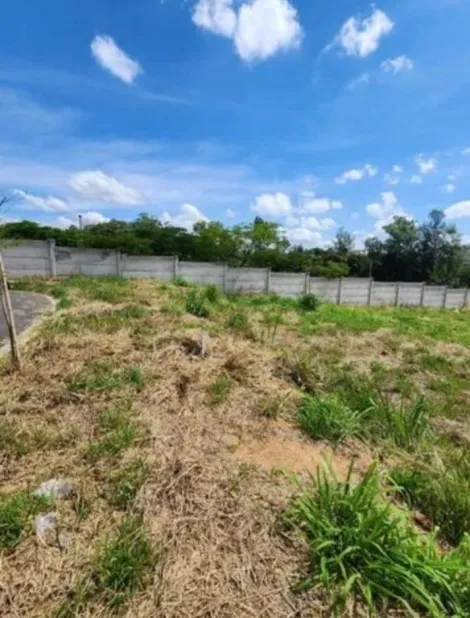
(361, 546)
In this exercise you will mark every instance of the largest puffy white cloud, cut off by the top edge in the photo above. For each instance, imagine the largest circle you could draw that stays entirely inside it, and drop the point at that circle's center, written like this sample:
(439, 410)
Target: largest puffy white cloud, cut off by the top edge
(247, 27)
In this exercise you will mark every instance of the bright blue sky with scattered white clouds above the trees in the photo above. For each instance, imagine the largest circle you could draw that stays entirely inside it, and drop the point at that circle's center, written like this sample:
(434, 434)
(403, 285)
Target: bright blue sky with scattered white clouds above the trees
(315, 115)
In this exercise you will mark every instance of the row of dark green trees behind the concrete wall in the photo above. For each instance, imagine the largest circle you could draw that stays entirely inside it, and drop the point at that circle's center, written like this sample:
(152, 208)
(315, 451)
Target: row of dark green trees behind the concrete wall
(430, 251)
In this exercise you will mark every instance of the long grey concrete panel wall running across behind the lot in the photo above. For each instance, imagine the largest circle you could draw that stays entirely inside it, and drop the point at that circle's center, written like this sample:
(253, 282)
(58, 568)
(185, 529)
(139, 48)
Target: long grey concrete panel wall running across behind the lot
(44, 259)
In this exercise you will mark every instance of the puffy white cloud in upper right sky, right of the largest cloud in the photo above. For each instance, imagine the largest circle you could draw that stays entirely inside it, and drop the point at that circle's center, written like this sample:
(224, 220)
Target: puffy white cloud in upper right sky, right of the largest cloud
(361, 37)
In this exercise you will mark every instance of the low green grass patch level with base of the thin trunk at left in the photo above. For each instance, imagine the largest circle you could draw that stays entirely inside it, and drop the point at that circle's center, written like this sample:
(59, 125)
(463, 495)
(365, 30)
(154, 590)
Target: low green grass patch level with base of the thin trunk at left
(102, 376)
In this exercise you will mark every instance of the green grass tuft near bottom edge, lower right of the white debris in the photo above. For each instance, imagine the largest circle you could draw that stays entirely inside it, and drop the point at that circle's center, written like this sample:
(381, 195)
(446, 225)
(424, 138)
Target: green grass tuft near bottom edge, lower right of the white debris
(122, 562)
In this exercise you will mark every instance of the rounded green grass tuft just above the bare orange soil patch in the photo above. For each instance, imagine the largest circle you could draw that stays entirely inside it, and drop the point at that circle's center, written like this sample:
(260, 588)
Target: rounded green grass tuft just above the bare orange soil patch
(327, 418)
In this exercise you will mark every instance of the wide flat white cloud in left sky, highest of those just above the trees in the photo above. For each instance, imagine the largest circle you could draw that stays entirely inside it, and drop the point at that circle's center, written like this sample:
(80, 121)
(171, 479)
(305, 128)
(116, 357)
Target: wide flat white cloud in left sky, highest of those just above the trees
(99, 187)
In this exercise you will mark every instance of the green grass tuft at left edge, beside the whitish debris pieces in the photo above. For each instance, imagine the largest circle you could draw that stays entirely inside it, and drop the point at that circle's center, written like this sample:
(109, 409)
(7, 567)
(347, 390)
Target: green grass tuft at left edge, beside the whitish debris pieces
(15, 516)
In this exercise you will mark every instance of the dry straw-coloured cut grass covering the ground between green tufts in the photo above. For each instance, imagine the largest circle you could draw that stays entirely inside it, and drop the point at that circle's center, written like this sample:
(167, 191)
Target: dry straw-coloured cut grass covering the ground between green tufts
(209, 499)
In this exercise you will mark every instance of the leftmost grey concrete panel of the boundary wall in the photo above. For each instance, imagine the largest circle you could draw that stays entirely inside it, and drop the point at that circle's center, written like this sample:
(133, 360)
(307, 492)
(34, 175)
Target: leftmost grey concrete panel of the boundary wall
(27, 259)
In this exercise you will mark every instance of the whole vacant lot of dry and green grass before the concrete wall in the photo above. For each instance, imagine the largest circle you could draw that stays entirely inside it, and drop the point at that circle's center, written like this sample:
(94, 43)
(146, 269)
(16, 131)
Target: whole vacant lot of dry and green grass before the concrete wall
(190, 427)
